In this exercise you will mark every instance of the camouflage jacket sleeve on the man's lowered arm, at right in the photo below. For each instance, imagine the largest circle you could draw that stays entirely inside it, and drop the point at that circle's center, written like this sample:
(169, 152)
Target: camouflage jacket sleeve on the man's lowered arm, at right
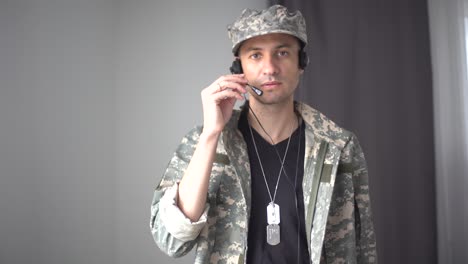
(350, 234)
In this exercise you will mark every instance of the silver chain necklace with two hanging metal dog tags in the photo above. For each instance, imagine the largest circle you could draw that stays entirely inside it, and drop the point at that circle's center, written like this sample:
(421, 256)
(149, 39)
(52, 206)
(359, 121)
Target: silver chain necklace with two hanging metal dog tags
(273, 210)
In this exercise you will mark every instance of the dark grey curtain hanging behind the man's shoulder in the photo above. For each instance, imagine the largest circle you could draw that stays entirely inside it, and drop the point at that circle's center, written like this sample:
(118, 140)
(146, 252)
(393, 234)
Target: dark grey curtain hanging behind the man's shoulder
(370, 71)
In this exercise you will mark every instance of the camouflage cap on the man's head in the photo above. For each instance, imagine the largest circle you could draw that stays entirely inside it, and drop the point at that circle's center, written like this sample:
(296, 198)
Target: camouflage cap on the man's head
(275, 19)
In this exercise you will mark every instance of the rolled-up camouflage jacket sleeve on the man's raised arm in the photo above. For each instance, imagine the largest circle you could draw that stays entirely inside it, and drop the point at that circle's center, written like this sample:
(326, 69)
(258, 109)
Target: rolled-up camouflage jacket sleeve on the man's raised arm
(172, 231)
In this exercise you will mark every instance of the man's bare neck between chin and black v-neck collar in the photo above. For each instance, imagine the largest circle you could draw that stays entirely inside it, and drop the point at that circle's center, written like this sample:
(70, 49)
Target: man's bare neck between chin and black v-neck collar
(278, 120)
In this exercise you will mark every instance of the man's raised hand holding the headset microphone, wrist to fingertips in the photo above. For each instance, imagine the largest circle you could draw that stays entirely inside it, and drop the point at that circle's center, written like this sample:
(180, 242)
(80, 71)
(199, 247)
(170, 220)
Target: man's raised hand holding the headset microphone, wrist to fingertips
(218, 101)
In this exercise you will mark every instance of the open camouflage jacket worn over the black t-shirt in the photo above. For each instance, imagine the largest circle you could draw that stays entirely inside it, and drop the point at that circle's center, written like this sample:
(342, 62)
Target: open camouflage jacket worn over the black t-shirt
(336, 198)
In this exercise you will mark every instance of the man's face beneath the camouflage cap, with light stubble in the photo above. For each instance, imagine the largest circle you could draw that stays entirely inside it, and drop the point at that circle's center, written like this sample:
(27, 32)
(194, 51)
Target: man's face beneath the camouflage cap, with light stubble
(270, 62)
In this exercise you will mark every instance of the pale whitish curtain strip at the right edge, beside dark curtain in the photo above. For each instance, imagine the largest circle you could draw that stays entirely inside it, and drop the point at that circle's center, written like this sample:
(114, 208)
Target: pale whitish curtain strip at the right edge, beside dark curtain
(448, 28)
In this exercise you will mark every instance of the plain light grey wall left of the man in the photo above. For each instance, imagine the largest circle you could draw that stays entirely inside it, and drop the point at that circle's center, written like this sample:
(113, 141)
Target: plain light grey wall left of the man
(94, 97)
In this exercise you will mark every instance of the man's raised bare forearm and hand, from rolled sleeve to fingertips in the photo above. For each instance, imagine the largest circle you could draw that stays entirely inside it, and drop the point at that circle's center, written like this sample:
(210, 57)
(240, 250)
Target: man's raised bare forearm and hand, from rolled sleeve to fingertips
(218, 101)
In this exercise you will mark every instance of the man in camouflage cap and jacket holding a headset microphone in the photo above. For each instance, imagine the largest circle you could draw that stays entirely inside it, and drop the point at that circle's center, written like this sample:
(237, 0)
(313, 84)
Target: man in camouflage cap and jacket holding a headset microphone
(276, 182)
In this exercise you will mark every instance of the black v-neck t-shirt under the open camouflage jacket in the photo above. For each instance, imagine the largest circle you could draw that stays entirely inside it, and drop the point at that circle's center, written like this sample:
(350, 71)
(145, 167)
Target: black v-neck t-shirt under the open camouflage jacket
(293, 241)
